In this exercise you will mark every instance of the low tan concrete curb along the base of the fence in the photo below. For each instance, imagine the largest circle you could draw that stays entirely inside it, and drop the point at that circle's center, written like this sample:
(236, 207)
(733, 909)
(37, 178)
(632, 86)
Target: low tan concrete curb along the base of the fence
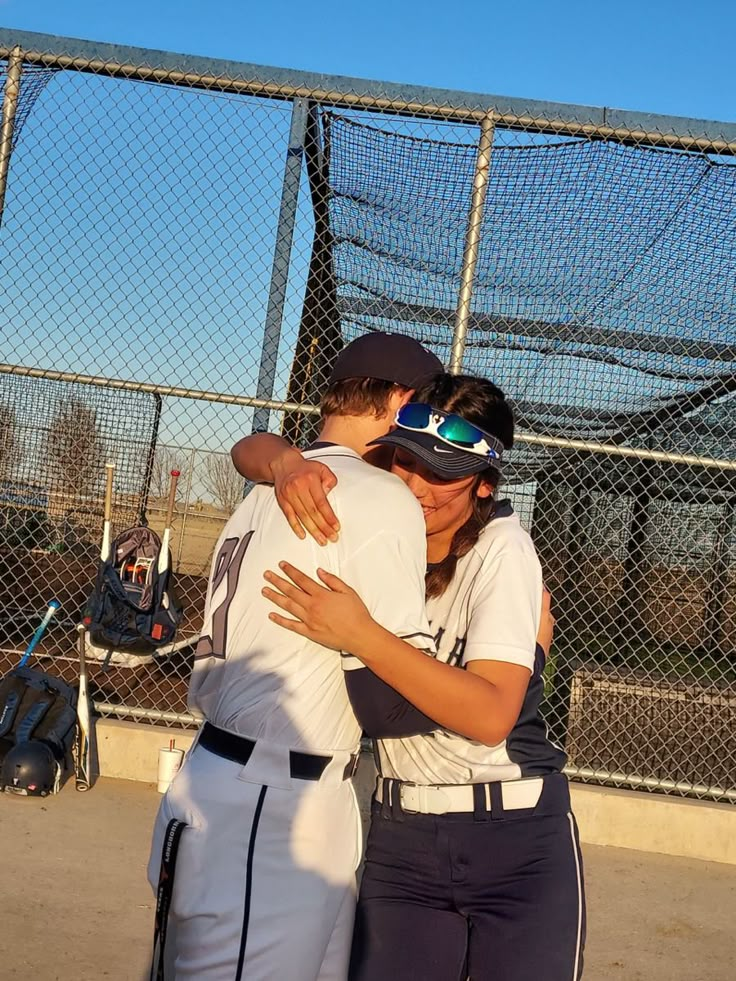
(625, 819)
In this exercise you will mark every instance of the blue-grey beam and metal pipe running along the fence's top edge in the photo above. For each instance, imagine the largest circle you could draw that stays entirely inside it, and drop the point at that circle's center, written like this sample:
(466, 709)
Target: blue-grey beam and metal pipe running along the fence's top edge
(422, 101)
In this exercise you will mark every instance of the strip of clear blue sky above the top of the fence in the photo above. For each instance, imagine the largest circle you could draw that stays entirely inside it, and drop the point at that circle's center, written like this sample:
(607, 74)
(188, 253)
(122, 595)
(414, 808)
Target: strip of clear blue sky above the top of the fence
(664, 56)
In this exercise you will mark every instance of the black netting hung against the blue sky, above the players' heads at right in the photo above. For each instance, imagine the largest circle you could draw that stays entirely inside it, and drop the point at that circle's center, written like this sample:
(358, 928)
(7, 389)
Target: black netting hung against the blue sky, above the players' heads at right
(603, 294)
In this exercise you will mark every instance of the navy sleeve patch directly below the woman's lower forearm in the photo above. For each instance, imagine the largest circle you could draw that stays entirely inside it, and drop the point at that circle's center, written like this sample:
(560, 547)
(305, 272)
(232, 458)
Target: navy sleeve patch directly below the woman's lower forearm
(381, 710)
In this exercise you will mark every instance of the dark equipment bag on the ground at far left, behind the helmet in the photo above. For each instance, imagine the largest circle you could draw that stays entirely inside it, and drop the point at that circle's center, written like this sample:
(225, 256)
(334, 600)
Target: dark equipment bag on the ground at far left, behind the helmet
(36, 705)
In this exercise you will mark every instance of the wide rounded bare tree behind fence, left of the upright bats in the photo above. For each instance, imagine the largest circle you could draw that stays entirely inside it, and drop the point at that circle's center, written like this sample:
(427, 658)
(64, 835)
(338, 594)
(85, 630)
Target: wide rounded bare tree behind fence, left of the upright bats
(74, 449)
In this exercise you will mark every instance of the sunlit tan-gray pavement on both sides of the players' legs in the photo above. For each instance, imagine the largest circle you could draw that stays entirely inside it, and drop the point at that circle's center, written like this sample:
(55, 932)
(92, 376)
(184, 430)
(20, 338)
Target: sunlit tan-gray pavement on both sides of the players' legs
(77, 906)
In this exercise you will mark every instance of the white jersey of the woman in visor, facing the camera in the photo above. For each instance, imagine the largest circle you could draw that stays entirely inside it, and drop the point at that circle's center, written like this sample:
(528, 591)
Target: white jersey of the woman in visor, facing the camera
(490, 611)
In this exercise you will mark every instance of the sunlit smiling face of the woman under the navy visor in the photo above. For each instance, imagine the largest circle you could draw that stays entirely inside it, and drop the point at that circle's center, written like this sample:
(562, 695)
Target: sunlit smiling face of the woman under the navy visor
(446, 504)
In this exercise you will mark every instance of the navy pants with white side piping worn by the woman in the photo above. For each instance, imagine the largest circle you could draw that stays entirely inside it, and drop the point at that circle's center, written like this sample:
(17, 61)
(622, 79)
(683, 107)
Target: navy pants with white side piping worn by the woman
(485, 897)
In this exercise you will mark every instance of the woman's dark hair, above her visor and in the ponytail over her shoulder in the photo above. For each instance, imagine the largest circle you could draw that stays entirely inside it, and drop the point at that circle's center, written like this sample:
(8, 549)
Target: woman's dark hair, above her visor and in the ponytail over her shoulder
(484, 404)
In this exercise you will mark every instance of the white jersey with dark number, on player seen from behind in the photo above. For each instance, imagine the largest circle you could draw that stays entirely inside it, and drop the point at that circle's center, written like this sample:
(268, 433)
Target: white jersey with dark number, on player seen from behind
(260, 680)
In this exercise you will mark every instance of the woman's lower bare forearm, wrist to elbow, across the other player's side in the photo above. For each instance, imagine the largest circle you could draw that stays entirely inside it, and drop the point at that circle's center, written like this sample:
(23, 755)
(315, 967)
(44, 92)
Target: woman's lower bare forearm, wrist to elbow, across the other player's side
(456, 699)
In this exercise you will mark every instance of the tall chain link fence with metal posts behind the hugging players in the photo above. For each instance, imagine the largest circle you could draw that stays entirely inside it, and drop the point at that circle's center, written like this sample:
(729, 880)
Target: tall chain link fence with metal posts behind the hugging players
(186, 245)
